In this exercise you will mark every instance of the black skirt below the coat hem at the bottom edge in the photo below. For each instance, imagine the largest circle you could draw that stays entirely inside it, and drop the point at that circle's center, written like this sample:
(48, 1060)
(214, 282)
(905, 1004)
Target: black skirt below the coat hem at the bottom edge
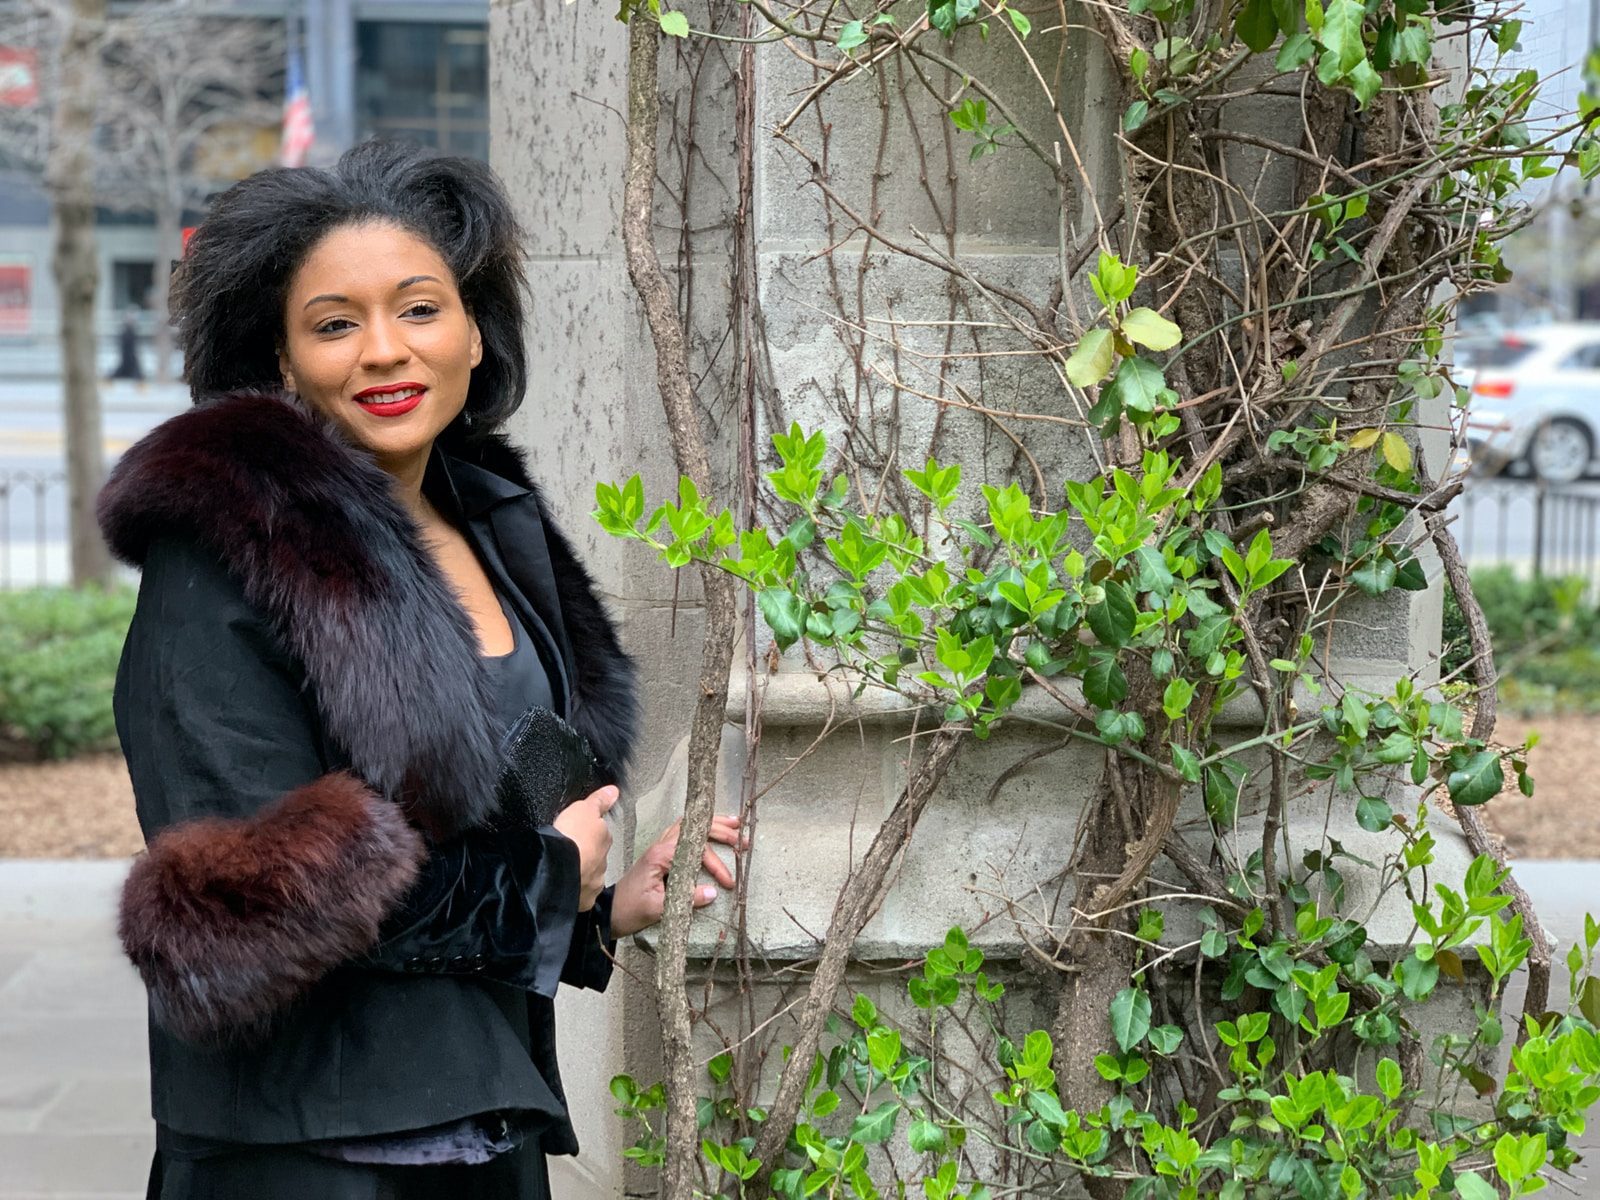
(287, 1174)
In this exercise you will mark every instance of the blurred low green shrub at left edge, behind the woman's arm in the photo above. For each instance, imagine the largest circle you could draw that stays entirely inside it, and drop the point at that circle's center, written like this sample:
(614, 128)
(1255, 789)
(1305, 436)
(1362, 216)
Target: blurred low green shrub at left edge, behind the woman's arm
(58, 663)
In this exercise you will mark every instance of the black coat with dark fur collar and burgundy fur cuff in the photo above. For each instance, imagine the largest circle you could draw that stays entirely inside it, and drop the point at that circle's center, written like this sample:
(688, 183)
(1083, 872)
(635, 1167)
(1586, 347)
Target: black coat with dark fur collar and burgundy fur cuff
(308, 727)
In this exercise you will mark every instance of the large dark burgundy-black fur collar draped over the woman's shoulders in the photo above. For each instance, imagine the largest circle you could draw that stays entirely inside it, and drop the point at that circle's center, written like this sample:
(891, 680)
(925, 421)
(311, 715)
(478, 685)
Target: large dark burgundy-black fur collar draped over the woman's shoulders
(311, 529)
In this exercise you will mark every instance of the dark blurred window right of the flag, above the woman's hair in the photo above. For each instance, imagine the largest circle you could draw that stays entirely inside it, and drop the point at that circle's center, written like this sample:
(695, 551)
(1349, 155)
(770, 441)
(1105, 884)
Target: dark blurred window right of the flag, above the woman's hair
(425, 82)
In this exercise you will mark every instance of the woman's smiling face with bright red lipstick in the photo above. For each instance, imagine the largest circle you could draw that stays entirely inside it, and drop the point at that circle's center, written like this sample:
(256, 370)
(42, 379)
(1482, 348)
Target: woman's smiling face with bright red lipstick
(378, 340)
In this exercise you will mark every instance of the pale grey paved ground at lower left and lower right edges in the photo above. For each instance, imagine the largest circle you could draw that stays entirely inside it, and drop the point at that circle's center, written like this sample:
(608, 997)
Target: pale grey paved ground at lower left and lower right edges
(74, 1084)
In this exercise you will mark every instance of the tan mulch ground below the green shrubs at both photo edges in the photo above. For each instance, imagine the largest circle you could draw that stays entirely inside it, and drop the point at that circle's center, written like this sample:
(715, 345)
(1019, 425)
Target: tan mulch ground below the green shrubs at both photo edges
(84, 809)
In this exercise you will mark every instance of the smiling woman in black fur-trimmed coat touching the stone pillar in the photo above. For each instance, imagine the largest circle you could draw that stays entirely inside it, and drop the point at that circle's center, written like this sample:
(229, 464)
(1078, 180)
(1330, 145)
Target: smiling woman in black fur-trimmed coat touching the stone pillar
(350, 593)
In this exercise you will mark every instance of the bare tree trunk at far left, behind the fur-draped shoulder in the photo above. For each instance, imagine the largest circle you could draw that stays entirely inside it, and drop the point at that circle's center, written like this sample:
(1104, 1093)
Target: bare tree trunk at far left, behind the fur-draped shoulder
(76, 266)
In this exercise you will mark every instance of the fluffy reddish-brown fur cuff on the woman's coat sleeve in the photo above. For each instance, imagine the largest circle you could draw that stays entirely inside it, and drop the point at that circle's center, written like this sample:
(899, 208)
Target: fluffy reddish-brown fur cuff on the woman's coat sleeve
(231, 921)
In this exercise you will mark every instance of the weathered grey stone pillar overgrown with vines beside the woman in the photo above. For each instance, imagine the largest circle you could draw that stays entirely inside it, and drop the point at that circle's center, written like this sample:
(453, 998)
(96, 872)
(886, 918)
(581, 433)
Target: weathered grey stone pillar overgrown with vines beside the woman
(826, 303)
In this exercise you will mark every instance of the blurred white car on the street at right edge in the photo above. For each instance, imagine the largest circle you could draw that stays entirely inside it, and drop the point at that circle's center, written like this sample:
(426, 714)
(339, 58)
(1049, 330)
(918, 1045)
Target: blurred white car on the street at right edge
(1537, 401)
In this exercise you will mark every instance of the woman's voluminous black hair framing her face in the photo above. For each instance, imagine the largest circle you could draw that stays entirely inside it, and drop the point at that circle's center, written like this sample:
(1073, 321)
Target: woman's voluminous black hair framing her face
(231, 286)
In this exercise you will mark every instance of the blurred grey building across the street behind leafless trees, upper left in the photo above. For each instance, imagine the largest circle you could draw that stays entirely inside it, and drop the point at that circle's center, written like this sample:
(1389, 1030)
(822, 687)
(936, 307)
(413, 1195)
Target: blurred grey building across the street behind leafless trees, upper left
(394, 68)
